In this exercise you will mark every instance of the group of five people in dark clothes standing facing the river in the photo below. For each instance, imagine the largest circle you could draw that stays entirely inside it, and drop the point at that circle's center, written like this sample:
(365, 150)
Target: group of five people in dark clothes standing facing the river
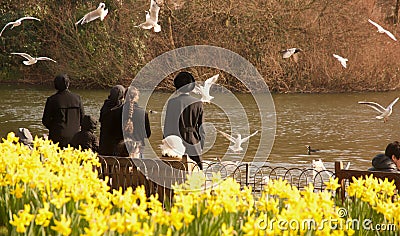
(65, 118)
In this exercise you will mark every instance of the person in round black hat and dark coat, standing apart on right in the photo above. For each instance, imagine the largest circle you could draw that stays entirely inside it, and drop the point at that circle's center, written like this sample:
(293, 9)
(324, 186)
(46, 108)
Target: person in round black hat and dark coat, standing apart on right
(184, 117)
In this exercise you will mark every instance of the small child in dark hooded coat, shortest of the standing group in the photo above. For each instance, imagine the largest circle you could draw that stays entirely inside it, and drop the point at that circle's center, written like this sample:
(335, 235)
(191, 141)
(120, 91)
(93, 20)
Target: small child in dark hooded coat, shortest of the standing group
(86, 138)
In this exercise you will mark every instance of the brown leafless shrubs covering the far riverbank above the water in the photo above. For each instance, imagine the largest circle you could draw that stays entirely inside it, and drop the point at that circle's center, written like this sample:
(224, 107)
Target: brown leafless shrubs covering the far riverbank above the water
(113, 51)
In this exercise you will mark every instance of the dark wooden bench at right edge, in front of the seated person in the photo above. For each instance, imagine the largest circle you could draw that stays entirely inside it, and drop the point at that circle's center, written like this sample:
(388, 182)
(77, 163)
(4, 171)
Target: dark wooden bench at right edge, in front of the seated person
(343, 175)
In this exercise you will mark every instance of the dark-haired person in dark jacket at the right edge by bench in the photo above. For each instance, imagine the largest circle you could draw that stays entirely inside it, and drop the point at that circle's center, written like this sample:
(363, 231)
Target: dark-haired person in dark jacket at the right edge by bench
(388, 162)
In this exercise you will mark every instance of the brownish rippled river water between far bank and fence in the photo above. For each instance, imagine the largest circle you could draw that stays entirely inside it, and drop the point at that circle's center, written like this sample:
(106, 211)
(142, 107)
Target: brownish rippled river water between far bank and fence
(335, 124)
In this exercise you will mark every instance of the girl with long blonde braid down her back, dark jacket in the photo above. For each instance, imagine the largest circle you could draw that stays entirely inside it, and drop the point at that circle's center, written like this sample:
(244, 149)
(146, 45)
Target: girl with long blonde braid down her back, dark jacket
(137, 125)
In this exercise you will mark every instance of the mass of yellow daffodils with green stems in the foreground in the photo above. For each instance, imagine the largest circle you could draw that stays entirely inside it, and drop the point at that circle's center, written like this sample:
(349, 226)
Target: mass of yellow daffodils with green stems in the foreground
(48, 191)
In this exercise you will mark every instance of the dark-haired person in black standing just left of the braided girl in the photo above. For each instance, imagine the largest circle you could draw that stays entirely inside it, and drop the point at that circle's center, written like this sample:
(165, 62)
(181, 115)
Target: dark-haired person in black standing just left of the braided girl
(111, 121)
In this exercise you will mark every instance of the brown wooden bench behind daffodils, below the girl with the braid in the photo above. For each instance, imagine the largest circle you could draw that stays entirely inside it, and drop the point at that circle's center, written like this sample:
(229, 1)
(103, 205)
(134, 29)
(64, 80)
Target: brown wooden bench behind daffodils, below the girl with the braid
(156, 175)
